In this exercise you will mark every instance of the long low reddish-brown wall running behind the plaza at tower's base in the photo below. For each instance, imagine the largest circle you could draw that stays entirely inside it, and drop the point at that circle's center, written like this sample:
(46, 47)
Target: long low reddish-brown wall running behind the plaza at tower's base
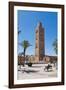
(46, 59)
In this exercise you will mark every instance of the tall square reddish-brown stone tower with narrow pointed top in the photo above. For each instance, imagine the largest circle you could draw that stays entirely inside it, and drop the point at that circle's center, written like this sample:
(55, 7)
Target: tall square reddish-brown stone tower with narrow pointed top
(39, 44)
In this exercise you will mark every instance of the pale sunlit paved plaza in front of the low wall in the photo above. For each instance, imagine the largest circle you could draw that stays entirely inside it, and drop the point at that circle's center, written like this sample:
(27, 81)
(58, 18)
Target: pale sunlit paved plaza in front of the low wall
(36, 72)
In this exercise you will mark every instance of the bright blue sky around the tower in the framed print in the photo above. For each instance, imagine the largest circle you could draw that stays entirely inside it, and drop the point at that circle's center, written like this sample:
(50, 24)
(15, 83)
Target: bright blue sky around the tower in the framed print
(27, 23)
